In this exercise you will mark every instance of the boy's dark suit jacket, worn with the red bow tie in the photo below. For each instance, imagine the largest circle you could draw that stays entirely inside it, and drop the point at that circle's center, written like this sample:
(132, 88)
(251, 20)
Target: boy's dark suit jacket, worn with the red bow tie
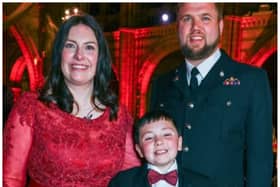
(136, 177)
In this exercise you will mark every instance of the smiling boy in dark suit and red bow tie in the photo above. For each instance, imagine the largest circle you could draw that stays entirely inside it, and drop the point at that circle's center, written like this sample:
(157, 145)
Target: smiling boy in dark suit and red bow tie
(157, 141)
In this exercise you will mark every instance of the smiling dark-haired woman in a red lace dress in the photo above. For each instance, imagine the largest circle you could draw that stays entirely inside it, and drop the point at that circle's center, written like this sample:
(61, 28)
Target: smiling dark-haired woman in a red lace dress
(73, 133)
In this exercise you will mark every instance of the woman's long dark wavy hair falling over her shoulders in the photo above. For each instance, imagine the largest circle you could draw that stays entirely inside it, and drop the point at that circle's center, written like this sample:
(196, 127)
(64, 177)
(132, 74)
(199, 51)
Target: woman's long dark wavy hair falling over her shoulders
(56, 91)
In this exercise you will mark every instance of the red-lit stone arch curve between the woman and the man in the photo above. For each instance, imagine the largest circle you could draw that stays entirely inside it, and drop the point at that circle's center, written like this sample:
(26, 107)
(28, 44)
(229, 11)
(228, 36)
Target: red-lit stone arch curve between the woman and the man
(150, 62)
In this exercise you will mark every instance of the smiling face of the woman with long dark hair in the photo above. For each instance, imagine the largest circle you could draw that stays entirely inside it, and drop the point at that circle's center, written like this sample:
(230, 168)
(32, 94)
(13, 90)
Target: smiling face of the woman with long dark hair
(79, 56)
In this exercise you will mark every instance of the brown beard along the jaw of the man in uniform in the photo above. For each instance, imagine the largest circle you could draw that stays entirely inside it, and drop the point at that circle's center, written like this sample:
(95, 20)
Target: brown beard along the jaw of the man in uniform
(203, 53)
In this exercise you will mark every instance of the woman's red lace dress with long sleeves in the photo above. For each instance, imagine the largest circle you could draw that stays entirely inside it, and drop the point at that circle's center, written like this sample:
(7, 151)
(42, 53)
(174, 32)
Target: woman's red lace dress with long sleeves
(56, 149)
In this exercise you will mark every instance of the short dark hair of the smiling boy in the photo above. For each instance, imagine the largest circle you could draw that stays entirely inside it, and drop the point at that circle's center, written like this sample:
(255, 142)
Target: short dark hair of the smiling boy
(149, 118)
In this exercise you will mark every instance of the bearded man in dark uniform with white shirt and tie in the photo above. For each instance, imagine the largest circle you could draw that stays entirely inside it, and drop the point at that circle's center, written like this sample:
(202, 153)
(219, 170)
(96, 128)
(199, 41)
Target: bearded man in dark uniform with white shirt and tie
(224, 111)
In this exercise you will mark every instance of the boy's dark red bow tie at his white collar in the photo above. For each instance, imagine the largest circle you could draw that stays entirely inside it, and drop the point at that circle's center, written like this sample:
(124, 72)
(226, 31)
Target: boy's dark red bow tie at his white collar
(170, 177)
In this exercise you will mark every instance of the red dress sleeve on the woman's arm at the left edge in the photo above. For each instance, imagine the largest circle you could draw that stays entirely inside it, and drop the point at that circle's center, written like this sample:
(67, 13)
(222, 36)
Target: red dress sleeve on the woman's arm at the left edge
(16, 144)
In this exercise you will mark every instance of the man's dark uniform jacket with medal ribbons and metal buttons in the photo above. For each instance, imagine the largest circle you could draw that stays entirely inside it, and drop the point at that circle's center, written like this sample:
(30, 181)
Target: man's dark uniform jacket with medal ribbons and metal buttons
(222, 125)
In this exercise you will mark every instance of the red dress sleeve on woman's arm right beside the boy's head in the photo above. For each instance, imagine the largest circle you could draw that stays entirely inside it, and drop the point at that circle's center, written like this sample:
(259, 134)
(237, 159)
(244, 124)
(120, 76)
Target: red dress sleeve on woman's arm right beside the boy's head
(131, 159)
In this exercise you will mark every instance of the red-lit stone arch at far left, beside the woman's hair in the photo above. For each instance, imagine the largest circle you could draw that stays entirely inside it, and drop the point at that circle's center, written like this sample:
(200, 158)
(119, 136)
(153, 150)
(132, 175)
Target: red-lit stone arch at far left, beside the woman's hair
(30, 59)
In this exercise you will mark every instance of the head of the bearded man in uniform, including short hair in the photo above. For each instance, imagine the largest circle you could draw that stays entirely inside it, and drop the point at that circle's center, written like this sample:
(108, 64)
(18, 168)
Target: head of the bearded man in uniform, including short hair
(199, 29)
